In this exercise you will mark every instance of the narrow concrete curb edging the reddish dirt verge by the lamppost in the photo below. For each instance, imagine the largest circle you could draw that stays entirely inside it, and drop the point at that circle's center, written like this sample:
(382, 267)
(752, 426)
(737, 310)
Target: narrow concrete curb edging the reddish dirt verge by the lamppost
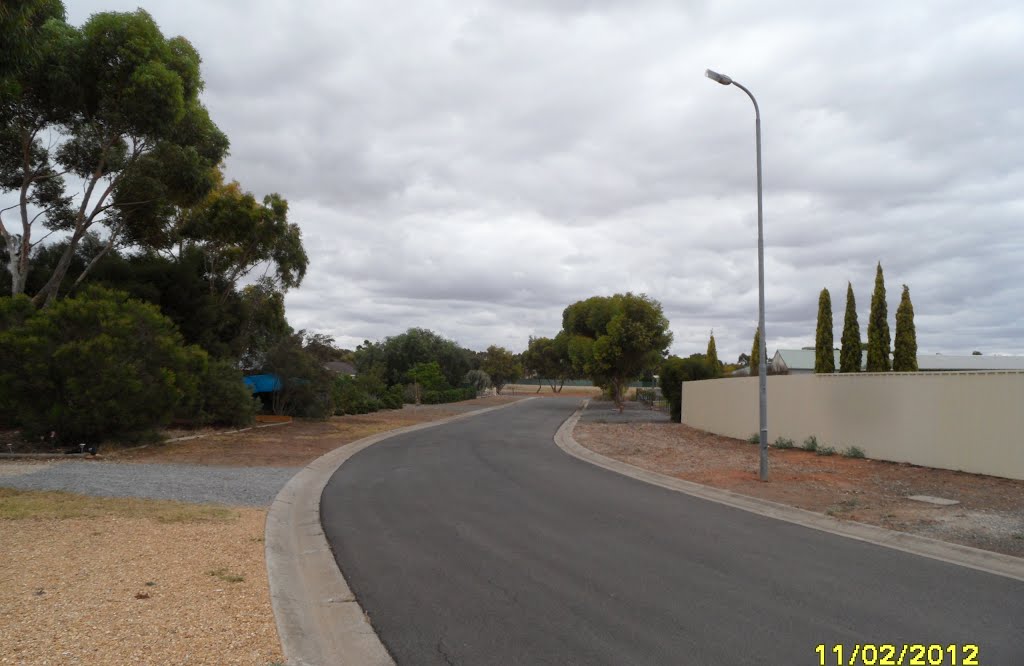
(992, 563)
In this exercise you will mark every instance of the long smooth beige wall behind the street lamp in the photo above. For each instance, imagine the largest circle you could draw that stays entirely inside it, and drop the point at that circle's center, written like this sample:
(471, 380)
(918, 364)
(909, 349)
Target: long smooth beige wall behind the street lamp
(972, 422)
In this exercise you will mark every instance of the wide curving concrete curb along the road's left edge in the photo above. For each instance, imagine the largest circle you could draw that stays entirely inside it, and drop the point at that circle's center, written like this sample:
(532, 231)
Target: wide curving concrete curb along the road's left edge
(319, 619)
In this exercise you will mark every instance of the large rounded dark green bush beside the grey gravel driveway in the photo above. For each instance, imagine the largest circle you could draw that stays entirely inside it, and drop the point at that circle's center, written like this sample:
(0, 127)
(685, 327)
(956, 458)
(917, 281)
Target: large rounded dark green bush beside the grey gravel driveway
(97, 366)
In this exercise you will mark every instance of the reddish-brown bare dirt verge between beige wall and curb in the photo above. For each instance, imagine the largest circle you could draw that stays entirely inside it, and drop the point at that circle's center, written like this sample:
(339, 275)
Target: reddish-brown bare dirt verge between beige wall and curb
(991, 514)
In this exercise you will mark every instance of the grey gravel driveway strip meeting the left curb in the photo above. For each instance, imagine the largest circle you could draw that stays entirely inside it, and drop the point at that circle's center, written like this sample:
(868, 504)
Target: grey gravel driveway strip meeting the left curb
(198, 484)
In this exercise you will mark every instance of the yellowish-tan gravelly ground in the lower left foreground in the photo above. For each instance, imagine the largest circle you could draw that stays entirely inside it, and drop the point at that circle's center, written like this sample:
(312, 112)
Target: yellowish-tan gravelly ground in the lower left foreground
(135, 591)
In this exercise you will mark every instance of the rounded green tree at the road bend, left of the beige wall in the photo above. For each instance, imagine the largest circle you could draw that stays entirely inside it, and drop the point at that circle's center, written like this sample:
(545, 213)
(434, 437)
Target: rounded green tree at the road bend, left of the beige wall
(615, 340)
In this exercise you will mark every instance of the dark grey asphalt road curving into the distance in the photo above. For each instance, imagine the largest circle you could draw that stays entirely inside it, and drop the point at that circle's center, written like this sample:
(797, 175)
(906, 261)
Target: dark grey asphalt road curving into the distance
(482, 543)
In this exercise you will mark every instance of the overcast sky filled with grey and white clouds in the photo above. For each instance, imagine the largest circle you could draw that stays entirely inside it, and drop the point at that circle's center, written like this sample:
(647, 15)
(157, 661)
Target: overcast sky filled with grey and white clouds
(476, 166)
